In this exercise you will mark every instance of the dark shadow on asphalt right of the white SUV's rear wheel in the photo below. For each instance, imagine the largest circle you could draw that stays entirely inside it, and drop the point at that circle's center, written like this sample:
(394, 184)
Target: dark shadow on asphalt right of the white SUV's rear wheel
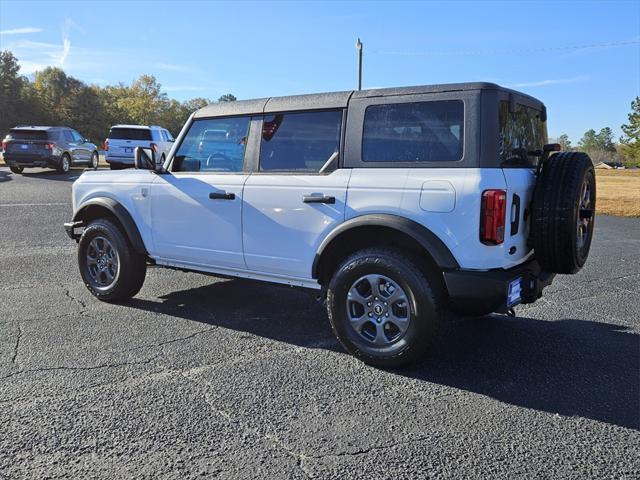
(569, 367)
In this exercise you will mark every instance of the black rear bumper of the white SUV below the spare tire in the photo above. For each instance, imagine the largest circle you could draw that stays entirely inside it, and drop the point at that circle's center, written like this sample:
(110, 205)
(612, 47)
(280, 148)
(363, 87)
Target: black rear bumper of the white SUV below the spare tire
(479, 293)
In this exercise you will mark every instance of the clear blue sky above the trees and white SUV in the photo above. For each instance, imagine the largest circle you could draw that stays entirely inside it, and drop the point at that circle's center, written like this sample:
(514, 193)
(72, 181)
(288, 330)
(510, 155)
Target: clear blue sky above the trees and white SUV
(581, 58)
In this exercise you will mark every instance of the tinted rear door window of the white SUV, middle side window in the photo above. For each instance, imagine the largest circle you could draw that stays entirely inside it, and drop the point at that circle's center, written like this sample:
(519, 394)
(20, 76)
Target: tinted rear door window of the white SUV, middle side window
(299, 142)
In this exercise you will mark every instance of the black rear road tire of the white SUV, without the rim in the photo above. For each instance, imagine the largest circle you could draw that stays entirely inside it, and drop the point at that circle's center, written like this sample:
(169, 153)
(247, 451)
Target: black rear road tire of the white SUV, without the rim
(425, 299)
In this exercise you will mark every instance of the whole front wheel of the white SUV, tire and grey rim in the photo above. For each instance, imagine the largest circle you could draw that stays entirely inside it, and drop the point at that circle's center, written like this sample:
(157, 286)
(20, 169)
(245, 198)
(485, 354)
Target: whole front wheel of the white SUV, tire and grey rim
(110, 267)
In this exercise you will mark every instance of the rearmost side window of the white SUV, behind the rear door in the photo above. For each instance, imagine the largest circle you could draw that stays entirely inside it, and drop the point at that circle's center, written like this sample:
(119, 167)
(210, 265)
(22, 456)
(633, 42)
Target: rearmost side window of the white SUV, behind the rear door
(414, 132)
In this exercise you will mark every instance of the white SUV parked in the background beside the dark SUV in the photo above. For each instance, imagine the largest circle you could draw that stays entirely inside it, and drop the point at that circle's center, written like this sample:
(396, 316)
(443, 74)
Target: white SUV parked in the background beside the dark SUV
(123, 139)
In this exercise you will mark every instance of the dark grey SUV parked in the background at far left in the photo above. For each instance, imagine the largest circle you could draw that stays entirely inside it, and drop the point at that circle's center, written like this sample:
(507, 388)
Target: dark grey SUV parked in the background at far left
(51, 147)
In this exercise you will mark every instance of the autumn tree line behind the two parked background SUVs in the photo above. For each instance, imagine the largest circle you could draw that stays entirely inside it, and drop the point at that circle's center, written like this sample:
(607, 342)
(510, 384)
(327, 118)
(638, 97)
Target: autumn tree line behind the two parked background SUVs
(52, 97)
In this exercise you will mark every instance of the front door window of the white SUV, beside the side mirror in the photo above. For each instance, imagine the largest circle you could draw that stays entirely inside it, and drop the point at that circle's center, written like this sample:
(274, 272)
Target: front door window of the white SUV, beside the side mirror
(213, 145)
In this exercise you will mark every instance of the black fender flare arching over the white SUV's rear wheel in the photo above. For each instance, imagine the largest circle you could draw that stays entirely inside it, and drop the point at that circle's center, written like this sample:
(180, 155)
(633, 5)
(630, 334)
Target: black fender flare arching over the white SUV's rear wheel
(421, 234)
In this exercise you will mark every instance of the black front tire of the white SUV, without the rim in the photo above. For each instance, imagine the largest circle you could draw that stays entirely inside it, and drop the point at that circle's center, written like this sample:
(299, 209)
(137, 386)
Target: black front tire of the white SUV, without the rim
(132, 266)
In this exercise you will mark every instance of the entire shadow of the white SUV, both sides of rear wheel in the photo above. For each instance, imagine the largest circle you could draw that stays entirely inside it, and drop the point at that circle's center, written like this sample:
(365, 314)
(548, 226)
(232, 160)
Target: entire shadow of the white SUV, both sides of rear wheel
(570, 367)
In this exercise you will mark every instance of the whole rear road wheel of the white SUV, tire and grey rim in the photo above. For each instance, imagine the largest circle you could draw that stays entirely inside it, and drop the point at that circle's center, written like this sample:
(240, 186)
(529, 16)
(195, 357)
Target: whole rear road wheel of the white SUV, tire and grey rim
(383, 309)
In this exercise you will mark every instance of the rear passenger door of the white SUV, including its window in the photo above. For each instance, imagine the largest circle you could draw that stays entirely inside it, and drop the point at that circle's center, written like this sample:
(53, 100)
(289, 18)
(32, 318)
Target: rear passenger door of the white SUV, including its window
(297, 195)
